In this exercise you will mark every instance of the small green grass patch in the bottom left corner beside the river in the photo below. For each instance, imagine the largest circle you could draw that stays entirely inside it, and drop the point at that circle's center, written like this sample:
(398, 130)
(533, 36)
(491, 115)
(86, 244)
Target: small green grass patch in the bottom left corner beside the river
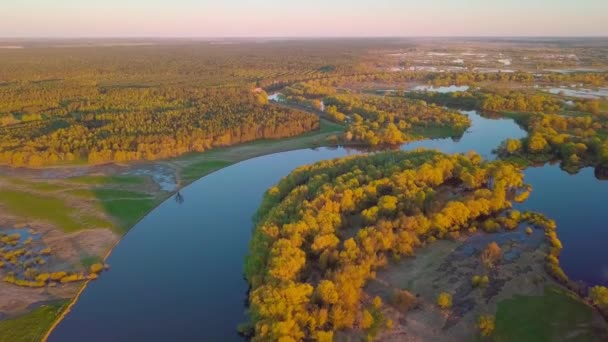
(32, 326)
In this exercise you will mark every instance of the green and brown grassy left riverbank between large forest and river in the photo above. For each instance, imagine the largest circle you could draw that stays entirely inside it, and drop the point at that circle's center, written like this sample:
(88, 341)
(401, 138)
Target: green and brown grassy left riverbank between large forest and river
(99, 191)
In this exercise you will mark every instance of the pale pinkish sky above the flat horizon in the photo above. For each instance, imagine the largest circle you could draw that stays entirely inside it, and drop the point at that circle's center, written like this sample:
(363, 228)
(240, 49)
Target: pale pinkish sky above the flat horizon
(301, 18)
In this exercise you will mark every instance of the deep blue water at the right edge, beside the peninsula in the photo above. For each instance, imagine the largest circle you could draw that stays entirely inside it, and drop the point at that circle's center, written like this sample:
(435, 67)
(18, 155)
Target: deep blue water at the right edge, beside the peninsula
(578, 204)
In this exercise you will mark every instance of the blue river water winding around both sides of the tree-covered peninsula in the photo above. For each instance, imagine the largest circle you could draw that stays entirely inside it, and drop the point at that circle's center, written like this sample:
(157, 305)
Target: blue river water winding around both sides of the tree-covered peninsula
(178, 274)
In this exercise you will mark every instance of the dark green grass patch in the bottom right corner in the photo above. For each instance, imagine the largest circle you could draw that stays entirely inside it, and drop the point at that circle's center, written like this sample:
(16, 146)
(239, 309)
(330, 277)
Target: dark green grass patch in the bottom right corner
(558, 315)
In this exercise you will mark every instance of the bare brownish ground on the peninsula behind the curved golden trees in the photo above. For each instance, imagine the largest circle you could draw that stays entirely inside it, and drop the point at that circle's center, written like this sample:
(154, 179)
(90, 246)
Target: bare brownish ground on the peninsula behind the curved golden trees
(448, 266)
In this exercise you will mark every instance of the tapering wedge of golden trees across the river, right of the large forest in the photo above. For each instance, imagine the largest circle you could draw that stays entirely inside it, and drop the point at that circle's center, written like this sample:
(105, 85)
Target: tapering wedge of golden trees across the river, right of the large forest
(377, 120)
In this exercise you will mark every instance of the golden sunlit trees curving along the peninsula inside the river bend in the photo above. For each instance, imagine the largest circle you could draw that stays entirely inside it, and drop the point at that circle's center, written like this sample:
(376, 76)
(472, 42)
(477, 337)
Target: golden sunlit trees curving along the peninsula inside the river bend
(307, 267)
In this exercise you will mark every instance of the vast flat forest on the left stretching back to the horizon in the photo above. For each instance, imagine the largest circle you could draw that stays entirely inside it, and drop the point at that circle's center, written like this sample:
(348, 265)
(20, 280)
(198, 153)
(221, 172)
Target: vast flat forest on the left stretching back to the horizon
(76, 105)
